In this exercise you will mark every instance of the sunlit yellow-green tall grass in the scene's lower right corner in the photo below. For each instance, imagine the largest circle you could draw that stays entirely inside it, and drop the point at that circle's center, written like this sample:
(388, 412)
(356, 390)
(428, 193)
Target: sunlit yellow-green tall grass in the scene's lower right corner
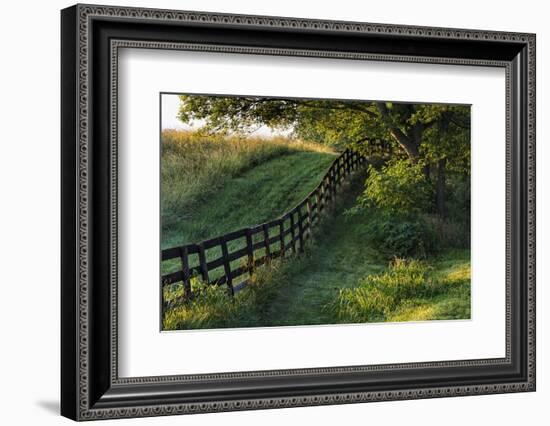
(408, 290)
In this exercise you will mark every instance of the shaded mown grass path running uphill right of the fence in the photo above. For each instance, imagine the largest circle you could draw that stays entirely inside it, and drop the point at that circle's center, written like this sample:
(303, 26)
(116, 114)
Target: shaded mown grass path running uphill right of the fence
(339, 257)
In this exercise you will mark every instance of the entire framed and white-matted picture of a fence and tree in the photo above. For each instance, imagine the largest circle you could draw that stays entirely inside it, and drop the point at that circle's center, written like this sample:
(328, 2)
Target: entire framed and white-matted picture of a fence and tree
(263, 212)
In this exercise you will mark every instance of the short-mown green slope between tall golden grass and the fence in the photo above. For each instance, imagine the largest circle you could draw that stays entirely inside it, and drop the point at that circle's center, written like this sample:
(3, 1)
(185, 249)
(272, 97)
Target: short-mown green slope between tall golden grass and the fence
(255, 196)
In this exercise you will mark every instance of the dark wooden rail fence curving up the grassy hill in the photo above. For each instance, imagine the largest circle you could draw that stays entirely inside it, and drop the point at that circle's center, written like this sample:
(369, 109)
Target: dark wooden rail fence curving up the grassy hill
(261, 243)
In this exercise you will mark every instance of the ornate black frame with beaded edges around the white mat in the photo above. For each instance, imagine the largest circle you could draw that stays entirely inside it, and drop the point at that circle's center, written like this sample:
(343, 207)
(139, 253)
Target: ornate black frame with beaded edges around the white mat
(91, 388)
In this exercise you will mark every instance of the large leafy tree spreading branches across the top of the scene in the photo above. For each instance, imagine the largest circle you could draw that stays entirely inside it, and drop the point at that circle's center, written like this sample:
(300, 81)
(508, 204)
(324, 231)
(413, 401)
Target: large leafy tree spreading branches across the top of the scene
(434, 135)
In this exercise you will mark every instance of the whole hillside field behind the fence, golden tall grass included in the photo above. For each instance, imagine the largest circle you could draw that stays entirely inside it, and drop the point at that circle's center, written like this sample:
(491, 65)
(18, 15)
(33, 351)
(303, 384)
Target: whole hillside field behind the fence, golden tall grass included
(213, 185)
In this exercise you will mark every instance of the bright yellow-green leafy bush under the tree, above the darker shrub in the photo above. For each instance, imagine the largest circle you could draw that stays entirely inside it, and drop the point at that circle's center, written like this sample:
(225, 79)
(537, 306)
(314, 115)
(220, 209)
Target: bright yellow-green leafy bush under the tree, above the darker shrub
(397, 189)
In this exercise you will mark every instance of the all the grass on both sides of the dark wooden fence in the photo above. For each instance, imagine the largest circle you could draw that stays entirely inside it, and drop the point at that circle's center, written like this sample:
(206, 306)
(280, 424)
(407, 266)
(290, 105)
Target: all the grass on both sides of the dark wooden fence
(211, 187)
